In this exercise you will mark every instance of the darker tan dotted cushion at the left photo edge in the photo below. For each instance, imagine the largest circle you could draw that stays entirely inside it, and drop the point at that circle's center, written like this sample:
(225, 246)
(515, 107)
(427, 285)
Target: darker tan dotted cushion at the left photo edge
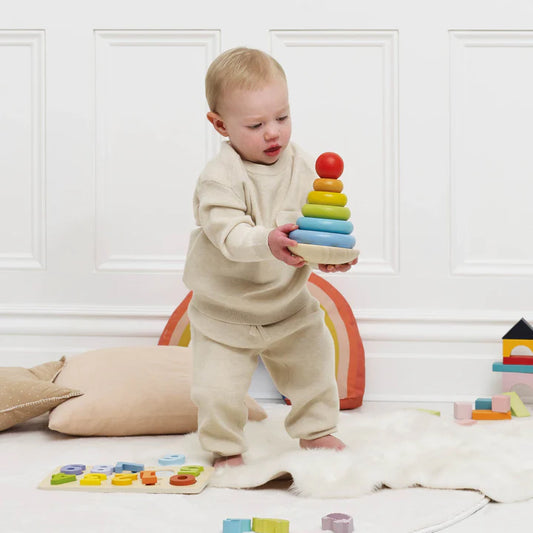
(29, 392)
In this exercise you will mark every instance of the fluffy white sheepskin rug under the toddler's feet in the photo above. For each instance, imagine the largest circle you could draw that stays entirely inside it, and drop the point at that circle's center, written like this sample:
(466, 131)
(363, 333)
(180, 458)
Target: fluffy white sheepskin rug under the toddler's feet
(398, 449)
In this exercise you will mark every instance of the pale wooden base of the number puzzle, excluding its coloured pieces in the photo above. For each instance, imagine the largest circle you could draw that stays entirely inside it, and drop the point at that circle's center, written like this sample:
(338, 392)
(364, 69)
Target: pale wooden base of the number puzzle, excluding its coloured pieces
(162, 485)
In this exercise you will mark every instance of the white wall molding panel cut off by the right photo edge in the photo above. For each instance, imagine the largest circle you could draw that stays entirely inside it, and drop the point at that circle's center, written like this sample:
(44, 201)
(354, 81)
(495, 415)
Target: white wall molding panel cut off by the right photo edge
(490, 164)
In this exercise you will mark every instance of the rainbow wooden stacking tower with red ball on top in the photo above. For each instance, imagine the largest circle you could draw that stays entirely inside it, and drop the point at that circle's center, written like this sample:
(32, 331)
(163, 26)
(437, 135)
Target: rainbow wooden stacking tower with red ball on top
(324, 231)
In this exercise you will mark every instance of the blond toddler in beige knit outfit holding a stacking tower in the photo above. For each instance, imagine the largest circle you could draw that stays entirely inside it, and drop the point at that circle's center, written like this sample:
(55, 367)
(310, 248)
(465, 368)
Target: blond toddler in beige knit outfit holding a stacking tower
(250, 293)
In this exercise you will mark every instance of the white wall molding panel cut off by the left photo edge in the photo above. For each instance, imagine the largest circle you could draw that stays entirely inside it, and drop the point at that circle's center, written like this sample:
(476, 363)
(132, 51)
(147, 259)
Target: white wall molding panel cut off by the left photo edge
(22, 150)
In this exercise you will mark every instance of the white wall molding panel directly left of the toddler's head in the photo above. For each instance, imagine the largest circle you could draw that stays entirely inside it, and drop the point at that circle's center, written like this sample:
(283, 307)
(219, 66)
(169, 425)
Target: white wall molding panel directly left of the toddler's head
(138, 113)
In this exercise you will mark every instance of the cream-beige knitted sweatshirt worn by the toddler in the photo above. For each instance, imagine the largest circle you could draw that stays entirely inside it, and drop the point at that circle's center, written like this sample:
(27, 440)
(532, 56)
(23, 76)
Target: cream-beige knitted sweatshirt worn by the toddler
(230, 269)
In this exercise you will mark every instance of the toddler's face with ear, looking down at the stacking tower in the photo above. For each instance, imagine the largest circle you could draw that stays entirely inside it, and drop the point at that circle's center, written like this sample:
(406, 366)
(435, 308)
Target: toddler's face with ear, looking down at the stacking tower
(257, 122)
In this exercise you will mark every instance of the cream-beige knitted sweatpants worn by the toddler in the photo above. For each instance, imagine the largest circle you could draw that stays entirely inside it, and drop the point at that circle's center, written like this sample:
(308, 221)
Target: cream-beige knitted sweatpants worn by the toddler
(298, 353)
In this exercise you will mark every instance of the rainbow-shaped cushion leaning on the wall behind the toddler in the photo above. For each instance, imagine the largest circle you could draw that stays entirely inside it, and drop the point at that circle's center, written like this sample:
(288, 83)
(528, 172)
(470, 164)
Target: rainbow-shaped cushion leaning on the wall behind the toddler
(349, 350)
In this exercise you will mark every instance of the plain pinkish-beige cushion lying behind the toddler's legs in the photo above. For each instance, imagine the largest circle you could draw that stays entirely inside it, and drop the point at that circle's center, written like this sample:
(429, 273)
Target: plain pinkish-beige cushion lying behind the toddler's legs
(131, 391)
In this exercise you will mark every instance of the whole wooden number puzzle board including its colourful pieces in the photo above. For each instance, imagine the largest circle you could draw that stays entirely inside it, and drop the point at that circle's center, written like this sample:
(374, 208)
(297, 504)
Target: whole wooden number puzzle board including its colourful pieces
(189, 479)
